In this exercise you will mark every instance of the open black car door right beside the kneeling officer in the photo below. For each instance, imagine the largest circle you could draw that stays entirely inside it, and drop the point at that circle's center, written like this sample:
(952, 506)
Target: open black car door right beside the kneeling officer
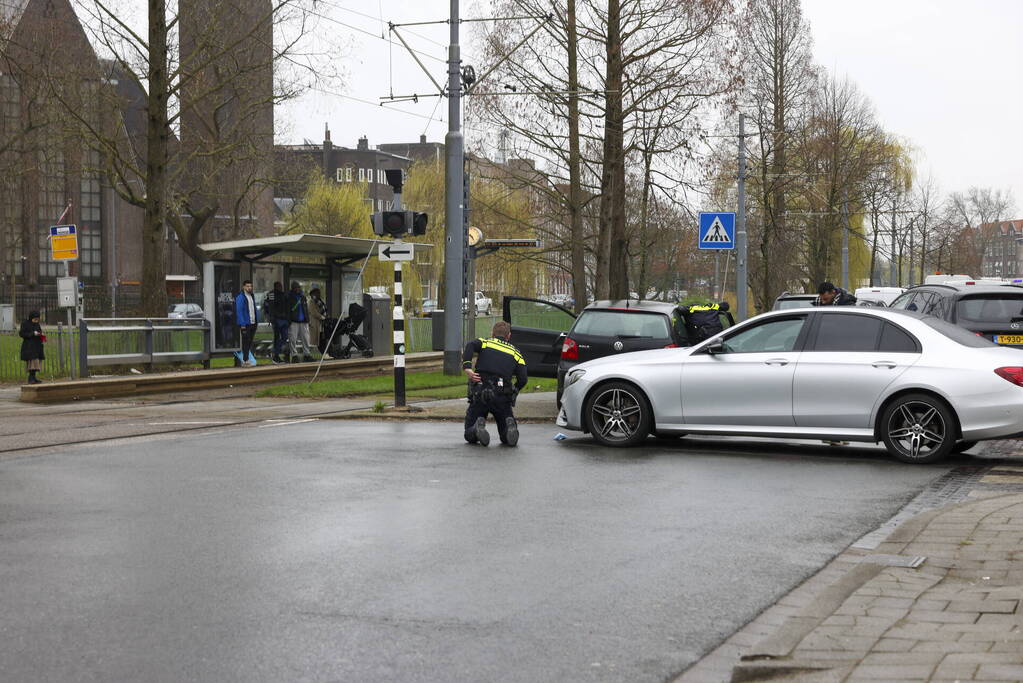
(539, 330)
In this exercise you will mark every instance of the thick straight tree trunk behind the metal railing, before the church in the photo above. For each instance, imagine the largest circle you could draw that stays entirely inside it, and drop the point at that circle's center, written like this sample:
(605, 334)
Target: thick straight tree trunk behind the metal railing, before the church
(154, 243)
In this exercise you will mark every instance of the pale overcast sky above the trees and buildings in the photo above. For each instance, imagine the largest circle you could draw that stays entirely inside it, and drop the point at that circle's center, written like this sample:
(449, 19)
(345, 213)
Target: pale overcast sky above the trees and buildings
(942, 74)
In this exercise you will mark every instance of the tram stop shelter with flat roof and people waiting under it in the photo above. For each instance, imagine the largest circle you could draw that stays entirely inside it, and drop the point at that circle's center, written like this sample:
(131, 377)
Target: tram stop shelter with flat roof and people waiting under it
(333, 264)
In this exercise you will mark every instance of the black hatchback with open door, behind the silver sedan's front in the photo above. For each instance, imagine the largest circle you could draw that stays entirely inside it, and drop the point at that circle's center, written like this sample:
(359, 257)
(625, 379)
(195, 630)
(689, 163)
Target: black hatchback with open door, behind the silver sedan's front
(604, 329)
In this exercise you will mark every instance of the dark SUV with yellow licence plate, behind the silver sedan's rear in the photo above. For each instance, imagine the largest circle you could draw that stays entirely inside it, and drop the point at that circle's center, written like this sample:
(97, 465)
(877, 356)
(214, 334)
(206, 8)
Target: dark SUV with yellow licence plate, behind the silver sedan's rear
(992, 311)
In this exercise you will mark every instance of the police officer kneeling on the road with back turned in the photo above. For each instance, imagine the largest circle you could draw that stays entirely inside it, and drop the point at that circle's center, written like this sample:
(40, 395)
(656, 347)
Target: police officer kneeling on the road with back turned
(491, 389)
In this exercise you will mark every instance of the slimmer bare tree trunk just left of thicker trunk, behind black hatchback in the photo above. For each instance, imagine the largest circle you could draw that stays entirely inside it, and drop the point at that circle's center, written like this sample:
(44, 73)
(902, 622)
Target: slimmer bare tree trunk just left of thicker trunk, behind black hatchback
(575, 179)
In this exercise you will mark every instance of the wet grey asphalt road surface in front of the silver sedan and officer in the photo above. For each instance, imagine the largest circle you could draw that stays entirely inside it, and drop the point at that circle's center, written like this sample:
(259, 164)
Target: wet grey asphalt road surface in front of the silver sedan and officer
(389, 552)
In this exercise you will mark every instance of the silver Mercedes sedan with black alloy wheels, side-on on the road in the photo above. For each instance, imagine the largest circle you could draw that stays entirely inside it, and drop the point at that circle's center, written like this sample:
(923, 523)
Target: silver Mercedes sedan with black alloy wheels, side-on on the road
(923, 387)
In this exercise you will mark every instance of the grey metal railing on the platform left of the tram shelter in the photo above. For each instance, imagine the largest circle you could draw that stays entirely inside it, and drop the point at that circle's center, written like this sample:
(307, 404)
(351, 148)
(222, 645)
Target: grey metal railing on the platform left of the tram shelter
(150, 342)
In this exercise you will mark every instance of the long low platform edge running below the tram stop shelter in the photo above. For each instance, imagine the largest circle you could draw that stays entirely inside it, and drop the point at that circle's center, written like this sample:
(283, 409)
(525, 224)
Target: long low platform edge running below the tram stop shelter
(107, 388)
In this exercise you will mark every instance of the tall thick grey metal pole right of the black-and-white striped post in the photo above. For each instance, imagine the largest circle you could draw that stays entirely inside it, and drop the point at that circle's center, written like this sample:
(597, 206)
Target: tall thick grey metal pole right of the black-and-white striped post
(454, 254)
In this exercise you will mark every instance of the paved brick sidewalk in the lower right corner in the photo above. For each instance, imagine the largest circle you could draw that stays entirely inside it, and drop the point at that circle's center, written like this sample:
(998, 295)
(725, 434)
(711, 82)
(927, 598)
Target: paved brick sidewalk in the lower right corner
(951, 613)
